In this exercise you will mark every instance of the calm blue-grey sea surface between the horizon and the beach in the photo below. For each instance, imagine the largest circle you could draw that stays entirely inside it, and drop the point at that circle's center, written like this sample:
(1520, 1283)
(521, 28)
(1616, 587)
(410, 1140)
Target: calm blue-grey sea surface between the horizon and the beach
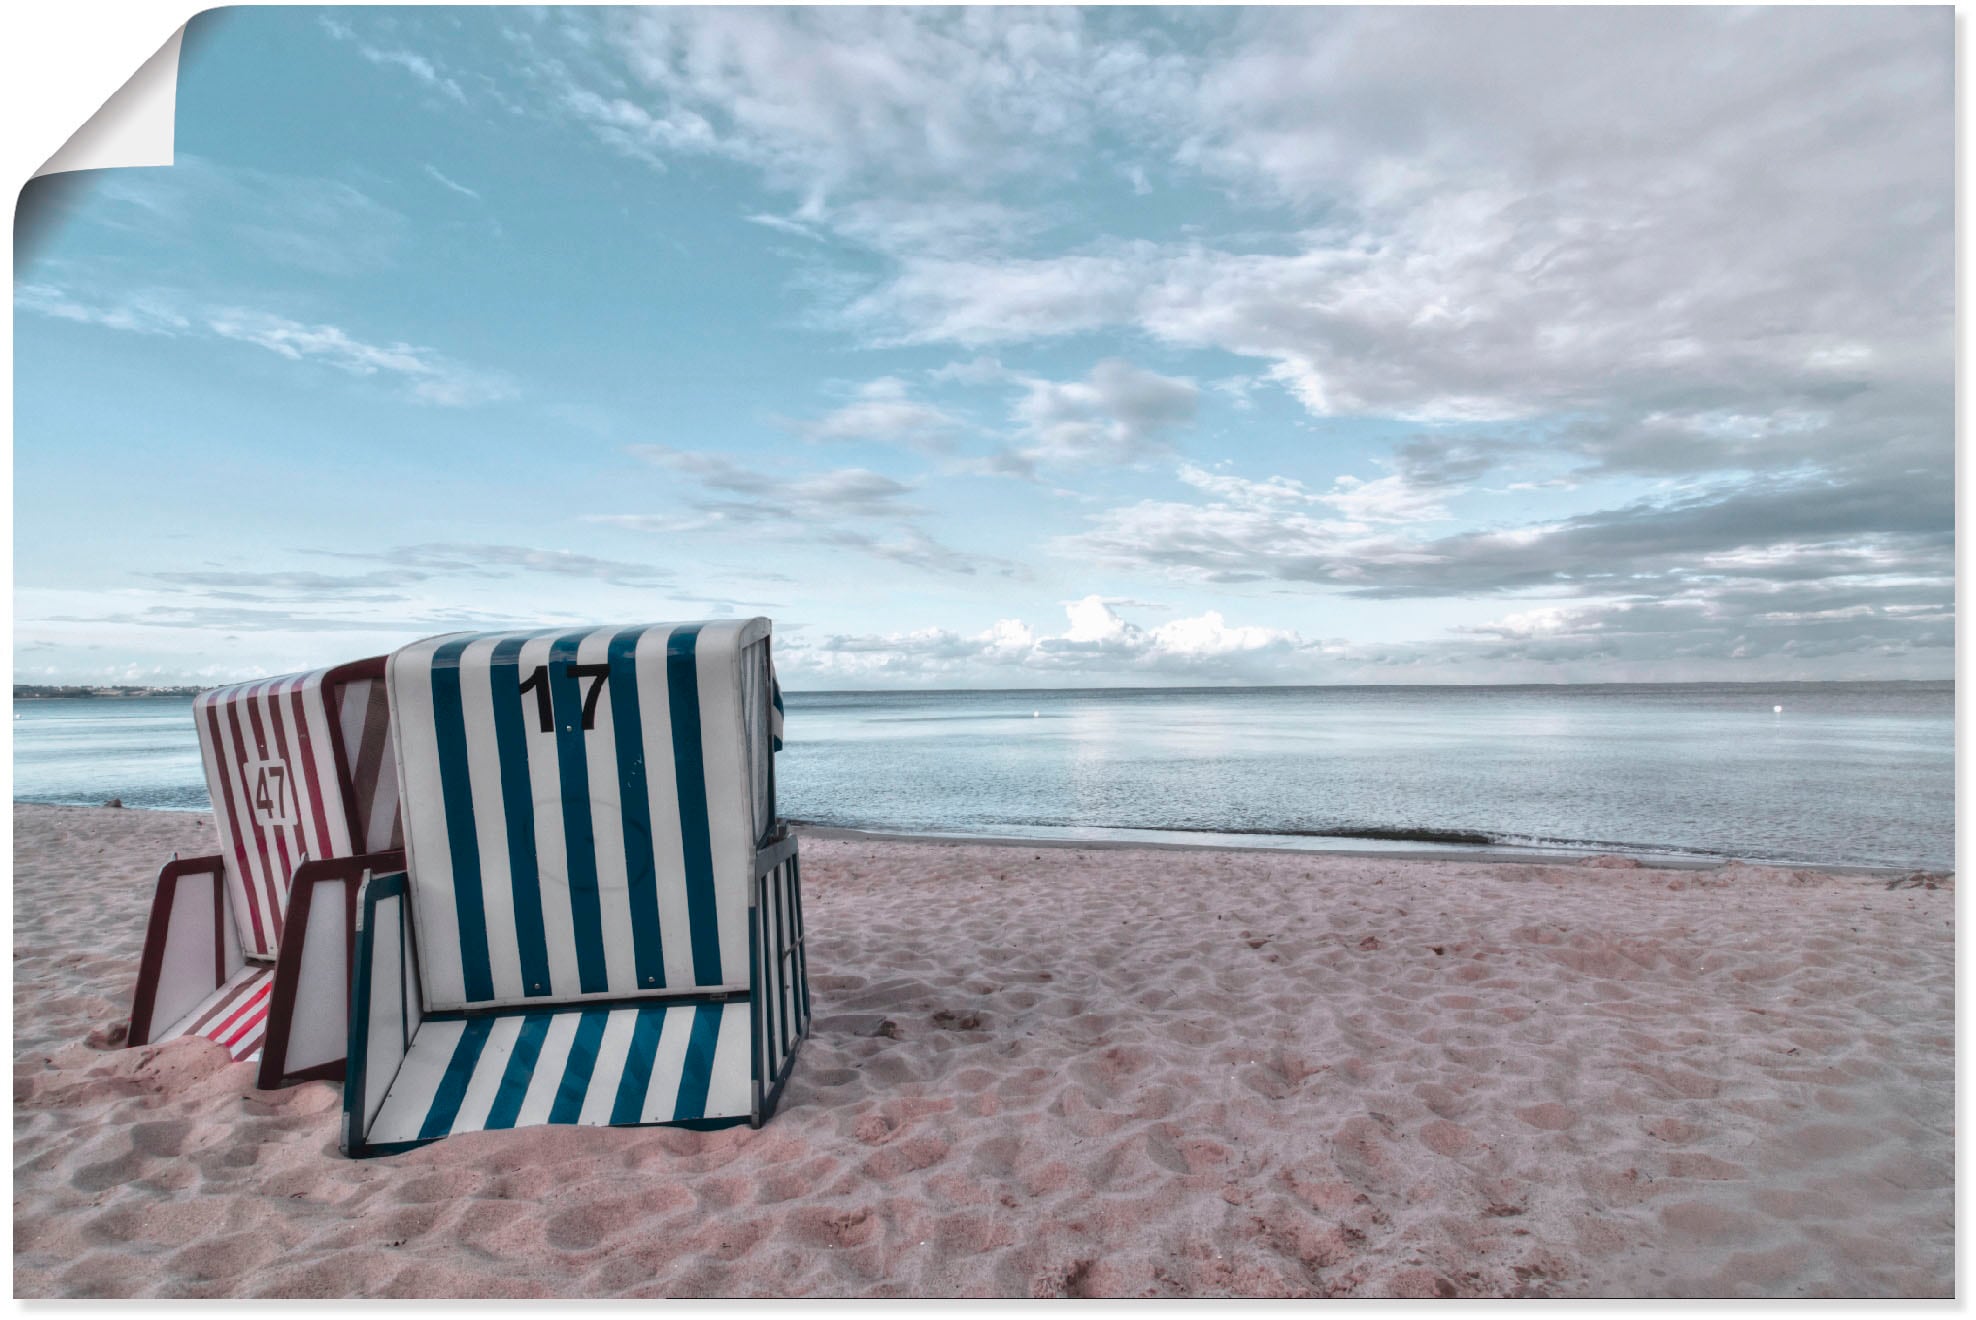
(1854, 774)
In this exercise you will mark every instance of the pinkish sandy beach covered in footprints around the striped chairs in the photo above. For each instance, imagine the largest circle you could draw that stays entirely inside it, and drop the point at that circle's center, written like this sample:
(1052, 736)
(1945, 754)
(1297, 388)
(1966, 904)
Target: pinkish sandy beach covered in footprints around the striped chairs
(1088, 1072)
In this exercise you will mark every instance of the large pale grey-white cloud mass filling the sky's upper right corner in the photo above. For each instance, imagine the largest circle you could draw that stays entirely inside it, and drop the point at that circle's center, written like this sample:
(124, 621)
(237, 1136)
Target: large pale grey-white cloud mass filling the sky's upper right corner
(1629, 248)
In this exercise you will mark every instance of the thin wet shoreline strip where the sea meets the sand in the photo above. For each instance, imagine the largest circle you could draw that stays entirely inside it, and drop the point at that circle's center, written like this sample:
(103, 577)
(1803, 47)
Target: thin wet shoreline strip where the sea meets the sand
(1206, 841)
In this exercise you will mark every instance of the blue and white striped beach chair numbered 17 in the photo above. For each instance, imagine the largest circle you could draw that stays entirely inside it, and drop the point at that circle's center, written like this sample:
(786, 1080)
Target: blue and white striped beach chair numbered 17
(600, 916)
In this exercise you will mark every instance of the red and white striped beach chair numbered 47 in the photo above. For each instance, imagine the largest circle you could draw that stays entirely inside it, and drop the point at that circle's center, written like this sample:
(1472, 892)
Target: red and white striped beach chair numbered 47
(305, 803)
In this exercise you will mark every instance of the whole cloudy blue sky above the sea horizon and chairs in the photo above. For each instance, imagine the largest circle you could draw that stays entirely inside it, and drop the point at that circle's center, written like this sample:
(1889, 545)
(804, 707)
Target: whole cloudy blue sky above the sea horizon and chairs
(1021, 347)
